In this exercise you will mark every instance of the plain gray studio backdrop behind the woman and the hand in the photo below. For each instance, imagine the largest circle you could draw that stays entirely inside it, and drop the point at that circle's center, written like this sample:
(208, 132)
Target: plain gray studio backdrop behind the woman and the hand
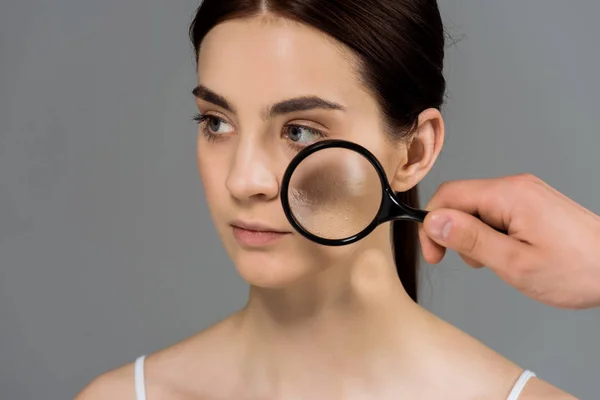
(106, 247)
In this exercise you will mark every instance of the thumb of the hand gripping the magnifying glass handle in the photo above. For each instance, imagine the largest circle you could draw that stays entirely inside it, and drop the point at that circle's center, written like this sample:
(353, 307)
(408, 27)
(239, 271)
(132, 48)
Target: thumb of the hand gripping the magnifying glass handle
(472, 238)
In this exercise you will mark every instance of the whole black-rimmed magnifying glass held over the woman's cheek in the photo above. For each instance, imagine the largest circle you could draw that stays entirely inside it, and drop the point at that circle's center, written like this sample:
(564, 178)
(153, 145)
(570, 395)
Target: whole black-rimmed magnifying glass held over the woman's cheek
(335, 192)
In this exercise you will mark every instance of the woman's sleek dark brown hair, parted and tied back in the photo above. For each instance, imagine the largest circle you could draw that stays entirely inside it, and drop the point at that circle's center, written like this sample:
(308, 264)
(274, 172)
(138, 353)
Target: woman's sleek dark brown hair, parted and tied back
(399, 45)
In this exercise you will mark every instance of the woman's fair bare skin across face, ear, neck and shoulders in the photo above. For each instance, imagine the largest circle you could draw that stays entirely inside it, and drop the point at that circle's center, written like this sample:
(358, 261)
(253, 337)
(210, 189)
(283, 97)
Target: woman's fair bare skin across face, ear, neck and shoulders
(322, 323)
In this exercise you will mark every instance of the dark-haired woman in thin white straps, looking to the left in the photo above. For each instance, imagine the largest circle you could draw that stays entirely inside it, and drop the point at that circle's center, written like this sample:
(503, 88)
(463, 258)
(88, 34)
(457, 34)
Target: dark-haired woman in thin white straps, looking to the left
(321, 323)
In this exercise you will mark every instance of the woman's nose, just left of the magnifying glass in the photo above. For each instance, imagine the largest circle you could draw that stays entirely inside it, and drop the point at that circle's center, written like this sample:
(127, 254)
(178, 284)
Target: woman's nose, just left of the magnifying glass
(251, 175)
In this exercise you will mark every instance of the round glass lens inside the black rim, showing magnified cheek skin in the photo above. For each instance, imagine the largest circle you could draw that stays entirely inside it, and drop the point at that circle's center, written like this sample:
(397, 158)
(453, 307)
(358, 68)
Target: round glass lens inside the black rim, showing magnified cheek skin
(335, 193)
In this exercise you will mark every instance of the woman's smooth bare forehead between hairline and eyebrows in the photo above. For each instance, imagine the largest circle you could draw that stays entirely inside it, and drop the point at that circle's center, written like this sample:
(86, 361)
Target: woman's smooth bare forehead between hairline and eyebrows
(273, 59)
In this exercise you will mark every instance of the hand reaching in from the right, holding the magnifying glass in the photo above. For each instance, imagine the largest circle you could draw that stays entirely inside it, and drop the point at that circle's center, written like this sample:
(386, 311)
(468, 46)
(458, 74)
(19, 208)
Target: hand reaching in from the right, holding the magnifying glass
(551, 249)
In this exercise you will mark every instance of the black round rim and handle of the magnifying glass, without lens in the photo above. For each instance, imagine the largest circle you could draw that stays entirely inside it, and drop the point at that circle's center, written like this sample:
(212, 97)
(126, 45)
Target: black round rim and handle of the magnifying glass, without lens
(390, 208)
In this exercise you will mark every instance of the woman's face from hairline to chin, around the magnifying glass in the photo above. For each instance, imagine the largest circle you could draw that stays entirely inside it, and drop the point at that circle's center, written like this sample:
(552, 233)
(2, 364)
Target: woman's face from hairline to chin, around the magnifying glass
(266, 89)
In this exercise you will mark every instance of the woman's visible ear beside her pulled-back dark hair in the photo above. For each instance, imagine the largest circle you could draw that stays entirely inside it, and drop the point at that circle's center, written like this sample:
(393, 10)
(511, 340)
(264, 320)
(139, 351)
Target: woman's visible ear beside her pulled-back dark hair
(419, 151)
